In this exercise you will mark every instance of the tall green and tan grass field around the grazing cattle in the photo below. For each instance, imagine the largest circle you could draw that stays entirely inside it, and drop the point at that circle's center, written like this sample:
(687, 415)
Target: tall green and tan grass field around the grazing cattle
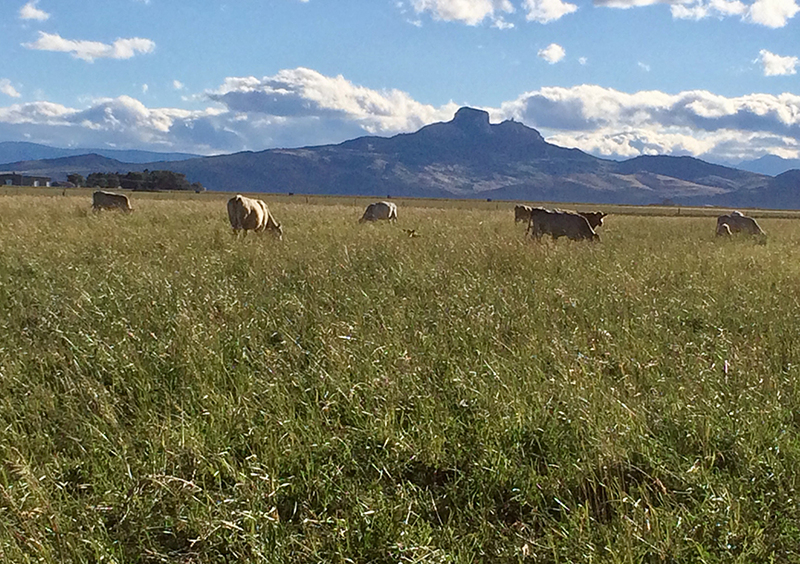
(171, 394)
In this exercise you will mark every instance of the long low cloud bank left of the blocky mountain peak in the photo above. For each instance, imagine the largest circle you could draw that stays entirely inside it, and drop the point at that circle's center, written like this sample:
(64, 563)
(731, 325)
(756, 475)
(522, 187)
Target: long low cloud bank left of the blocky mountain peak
(293, 108)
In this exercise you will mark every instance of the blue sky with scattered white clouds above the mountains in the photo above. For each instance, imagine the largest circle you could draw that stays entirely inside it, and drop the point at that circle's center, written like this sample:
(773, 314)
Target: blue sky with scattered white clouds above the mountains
(716, 79)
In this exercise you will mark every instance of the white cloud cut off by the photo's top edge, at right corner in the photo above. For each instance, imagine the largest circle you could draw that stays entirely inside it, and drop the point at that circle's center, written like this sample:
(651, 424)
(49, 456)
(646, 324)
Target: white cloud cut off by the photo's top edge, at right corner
(770, 13)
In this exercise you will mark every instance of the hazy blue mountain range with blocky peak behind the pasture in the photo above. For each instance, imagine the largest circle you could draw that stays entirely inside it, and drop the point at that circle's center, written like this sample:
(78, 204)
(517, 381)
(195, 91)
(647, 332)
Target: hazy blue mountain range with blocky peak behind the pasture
(466, 157)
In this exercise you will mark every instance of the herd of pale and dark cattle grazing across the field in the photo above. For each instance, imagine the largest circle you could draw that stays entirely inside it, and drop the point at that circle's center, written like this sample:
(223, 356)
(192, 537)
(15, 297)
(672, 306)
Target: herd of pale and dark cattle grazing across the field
(250, 214)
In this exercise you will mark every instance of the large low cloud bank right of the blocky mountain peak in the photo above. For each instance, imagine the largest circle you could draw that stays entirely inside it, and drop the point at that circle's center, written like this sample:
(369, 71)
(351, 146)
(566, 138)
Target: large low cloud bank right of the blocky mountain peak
(613, 123)
